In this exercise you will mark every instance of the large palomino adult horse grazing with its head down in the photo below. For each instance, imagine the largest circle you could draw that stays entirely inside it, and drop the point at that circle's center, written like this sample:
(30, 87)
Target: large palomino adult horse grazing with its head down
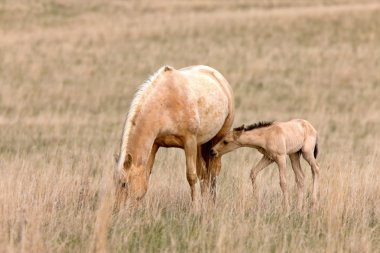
(190, 108)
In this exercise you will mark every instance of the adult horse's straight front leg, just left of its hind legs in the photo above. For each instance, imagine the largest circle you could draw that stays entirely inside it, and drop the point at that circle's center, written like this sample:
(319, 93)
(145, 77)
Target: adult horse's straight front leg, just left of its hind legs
(191, 160)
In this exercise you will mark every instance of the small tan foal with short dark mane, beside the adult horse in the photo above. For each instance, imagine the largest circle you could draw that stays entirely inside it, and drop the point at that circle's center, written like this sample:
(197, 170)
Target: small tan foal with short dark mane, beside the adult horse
(275, 140)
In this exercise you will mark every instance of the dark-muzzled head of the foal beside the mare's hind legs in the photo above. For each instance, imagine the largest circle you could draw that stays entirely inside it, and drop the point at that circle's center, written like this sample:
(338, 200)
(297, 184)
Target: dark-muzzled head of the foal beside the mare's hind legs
(229, 142)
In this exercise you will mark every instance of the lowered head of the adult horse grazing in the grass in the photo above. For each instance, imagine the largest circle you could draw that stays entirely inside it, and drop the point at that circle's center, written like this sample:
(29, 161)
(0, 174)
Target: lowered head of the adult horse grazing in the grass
(130, 179)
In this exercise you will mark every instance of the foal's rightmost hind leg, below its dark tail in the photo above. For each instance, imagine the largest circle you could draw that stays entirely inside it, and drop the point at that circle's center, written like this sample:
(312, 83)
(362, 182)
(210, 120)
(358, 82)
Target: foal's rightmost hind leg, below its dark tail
(308, 154)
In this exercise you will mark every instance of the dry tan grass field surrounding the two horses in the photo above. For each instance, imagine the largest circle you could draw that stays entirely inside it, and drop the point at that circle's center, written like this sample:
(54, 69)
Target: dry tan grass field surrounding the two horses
(68, 71)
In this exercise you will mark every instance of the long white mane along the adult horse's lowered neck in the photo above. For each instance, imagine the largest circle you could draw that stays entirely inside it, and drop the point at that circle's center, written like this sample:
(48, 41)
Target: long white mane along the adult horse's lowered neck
(132, 111)
